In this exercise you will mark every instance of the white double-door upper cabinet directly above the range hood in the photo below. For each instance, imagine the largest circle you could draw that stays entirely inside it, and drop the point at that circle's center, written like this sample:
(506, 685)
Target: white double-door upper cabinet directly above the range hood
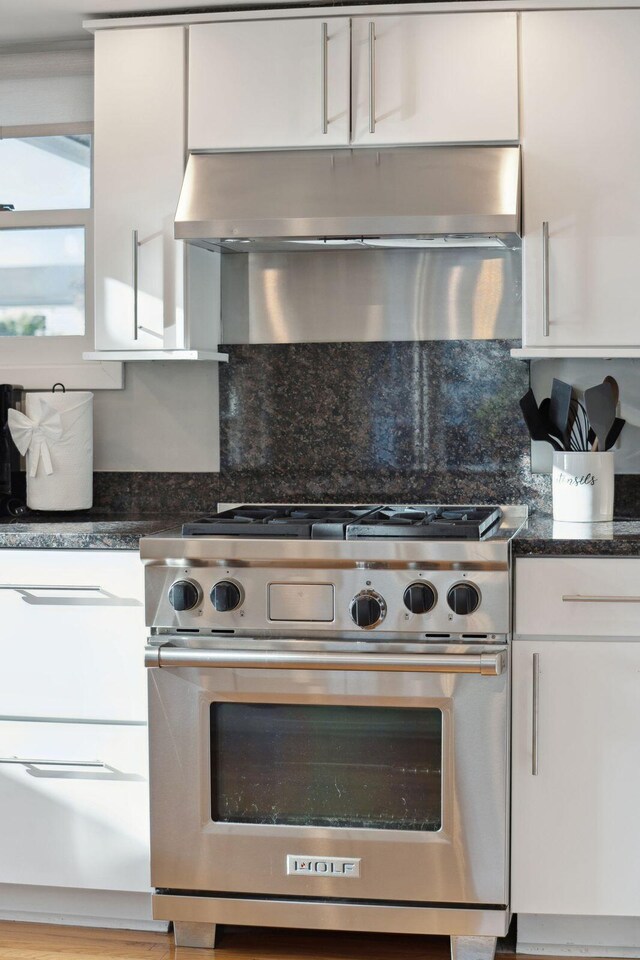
(433, 78)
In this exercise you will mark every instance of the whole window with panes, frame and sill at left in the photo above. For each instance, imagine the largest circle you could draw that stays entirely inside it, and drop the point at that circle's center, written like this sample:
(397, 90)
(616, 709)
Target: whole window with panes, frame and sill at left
(46, 257)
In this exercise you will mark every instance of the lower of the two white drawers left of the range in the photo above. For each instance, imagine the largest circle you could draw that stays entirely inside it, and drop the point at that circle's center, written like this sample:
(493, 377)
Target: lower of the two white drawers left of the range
(74, 826)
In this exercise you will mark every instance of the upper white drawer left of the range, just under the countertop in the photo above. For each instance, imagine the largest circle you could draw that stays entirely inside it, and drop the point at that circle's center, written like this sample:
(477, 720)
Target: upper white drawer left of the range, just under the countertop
(68, 652)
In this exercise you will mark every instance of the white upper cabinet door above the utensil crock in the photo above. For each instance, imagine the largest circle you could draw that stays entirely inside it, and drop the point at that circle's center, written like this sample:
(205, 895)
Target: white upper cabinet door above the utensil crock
(581, 154)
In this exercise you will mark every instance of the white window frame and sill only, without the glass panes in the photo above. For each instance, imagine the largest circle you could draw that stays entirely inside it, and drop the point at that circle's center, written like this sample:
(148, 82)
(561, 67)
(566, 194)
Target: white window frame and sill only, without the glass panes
(39, 362)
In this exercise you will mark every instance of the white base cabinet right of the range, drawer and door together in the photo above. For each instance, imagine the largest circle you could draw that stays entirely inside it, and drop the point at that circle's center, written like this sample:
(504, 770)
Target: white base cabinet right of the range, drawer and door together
(575, 841)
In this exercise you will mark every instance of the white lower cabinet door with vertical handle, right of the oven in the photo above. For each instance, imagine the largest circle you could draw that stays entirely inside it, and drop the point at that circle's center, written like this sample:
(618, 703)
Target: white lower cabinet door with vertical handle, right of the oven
(575, 829)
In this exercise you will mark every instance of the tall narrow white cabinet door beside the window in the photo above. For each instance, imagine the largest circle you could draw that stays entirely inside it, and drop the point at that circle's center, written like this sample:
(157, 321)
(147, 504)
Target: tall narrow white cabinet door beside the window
(138, 170)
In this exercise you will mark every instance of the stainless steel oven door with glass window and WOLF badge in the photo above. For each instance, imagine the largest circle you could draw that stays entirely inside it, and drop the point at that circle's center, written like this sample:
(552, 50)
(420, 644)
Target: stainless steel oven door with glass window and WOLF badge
(325, 771)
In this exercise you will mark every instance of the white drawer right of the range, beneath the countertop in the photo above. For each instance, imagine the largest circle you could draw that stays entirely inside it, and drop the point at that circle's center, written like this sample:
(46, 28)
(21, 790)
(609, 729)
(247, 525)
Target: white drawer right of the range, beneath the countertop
(585, 596)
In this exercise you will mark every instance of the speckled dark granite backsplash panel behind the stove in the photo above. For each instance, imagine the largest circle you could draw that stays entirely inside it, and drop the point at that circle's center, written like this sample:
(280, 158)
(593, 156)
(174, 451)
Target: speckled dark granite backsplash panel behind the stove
(428, 420)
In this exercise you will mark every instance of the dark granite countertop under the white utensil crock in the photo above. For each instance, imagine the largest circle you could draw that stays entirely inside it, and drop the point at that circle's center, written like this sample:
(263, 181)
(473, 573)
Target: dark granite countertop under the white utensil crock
(544, 537)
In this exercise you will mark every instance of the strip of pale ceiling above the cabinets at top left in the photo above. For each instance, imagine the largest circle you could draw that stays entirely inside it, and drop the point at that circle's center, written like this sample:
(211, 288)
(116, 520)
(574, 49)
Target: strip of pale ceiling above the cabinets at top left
(33, 21)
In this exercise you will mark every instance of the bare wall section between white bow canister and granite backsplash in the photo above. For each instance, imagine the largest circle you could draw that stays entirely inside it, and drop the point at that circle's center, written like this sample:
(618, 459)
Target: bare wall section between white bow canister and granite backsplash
(166, 418)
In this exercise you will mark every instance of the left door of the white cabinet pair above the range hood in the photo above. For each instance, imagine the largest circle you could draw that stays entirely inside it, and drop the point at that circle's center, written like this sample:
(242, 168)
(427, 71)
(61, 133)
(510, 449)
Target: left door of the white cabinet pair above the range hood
(262, 84)
